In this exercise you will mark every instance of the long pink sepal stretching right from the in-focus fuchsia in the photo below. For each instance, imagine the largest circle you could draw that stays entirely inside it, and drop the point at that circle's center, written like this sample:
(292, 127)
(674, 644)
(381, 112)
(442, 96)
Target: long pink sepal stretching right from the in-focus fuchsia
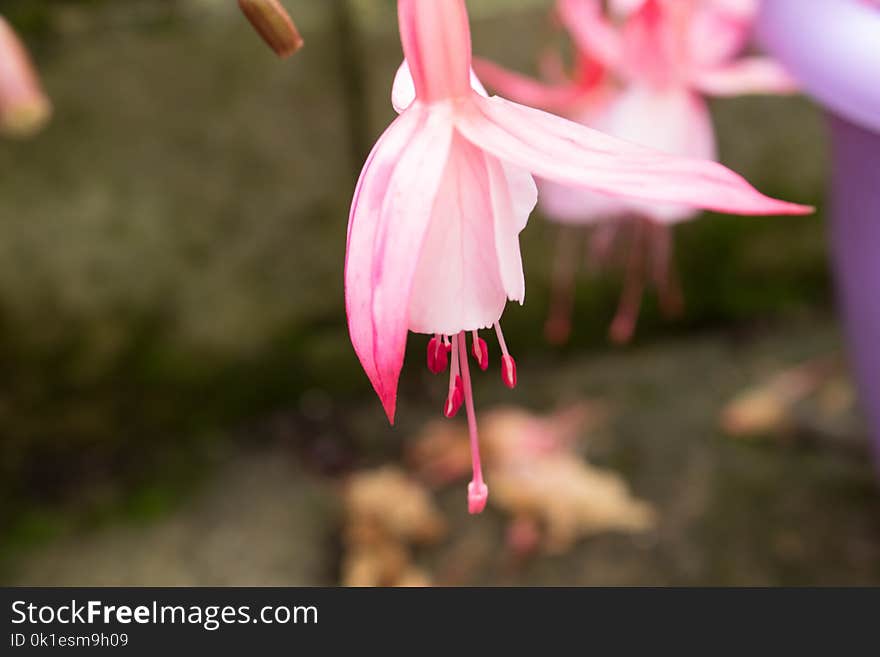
(565, 152)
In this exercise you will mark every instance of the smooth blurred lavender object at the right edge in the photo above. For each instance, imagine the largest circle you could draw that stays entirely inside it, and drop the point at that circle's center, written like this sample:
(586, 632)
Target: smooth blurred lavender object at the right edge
(833, 47)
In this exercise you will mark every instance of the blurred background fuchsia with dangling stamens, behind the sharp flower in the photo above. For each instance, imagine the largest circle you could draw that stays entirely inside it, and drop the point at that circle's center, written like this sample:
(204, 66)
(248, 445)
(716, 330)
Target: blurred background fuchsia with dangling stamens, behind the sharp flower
(661, 57)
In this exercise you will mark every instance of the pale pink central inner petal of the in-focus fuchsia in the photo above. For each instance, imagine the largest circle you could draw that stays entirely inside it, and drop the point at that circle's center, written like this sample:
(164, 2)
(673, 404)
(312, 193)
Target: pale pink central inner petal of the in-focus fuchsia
(457, 285)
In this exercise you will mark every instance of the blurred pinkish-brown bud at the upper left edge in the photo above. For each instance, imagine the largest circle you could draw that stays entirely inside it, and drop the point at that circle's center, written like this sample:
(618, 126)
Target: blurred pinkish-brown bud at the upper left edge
(24, 108)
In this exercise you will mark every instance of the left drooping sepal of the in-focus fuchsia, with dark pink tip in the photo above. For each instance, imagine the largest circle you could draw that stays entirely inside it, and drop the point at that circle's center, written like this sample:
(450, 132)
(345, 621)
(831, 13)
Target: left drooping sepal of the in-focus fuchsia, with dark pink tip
(389, 217)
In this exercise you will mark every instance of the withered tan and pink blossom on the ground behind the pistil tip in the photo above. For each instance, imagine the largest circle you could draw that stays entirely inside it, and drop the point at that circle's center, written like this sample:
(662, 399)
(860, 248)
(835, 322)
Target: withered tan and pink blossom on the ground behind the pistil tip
(536, 475)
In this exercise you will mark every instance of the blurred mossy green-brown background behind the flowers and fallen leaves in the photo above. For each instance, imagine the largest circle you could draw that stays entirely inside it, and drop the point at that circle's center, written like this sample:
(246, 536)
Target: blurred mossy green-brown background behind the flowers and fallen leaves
(171, 317)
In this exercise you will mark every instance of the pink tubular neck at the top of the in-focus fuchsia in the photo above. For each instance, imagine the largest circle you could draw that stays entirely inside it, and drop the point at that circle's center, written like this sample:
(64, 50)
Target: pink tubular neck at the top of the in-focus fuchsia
(436, 41)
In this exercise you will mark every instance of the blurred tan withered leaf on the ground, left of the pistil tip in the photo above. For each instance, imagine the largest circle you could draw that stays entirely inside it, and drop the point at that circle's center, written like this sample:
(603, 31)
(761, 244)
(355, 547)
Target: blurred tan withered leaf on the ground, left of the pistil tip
(386, 512)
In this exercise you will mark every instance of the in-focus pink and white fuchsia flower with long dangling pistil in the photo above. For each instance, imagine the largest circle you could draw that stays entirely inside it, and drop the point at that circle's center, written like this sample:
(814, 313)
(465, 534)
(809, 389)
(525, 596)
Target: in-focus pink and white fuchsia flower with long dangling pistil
(433, 237)
